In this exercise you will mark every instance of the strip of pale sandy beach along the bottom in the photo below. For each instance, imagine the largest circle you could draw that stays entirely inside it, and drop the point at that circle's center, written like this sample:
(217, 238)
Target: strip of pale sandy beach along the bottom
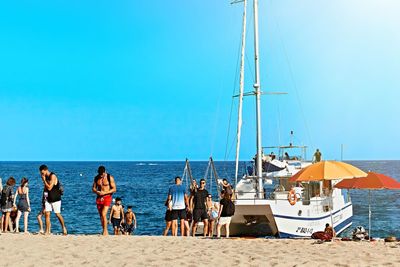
(73, 250)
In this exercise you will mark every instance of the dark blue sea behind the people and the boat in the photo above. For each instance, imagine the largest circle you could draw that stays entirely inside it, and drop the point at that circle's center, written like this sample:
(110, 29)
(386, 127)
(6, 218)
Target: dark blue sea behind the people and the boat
(144, 185)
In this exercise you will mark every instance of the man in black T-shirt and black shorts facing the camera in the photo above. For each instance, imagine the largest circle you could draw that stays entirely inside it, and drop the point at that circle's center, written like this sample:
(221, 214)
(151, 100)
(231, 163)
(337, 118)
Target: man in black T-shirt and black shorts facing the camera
(199, 208)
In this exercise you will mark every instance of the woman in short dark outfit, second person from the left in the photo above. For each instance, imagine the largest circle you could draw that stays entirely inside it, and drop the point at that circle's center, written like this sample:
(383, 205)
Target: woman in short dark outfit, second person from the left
(23, 204)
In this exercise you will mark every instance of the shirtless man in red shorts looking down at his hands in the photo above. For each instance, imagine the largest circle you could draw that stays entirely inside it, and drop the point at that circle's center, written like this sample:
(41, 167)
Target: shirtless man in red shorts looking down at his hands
(104, 186)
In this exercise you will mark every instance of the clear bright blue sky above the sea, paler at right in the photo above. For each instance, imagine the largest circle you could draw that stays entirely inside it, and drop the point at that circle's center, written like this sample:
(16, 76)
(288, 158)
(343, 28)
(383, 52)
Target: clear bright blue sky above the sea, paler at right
(153, 80)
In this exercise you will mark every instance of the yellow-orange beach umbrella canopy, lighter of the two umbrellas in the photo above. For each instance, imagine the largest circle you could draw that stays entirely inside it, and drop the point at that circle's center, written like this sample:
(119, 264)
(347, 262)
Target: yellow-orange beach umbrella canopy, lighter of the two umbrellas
(327, 170)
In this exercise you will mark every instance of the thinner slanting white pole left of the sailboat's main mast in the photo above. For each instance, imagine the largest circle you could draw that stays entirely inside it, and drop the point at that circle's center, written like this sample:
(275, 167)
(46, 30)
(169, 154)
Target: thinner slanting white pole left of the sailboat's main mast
(239, 126)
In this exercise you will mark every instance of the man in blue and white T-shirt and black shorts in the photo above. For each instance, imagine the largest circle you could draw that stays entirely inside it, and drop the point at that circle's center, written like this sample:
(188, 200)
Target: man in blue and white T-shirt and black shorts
(177, 194)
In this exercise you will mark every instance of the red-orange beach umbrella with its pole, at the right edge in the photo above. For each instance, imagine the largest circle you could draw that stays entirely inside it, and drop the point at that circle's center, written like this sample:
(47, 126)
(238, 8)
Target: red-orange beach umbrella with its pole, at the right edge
(373, 181)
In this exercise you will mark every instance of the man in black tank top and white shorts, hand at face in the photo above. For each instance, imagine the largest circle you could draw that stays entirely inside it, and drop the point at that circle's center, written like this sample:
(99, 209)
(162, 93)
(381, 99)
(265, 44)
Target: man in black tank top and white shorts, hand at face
(53, 193)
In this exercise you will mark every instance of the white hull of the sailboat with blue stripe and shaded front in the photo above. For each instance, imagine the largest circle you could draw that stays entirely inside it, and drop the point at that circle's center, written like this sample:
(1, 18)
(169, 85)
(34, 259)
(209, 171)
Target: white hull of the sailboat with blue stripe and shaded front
(266, 220)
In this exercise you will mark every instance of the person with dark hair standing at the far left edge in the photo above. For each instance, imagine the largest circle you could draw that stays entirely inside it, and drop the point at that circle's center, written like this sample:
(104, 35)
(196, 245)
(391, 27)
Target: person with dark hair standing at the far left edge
(7, 203)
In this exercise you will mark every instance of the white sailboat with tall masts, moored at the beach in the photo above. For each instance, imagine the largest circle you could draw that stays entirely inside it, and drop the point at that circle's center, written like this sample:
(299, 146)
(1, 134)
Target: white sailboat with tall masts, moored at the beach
(263, 202)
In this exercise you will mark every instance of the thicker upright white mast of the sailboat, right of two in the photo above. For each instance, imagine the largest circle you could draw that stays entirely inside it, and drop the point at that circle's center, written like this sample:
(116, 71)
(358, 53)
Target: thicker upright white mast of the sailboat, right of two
(257, 93)
